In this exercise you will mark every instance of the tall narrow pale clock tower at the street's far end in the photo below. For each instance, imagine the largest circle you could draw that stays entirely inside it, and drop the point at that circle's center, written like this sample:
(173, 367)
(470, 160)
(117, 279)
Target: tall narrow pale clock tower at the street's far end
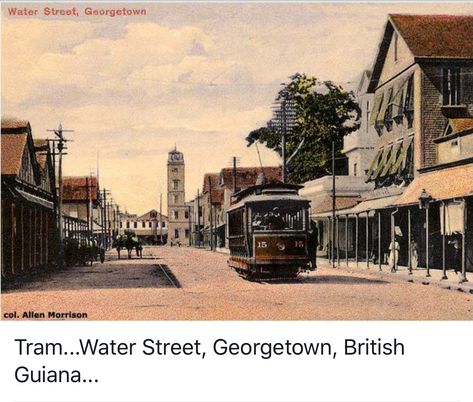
(179, 213)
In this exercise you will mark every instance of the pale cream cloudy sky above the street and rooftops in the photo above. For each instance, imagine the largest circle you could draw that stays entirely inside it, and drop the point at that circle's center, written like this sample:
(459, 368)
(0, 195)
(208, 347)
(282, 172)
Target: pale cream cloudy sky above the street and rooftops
(196, 76)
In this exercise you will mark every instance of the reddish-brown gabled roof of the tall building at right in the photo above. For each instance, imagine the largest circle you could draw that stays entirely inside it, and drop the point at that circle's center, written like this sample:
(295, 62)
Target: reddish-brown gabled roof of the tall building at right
(427, 37)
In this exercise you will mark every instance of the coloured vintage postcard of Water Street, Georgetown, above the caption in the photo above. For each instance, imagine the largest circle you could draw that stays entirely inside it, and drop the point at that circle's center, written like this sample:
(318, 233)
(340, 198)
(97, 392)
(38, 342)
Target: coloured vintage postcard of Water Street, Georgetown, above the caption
(231, 161)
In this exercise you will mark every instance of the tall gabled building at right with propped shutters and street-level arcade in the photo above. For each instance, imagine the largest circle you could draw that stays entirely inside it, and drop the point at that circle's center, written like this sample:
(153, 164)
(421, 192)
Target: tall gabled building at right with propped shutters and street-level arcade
(422, 172)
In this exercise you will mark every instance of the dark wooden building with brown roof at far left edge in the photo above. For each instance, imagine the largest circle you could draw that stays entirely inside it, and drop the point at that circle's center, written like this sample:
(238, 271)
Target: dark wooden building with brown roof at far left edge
(29, 234)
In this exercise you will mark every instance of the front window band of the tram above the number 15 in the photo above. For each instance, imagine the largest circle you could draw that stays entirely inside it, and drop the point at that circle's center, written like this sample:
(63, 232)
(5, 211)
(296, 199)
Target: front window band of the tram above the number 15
(277, 218)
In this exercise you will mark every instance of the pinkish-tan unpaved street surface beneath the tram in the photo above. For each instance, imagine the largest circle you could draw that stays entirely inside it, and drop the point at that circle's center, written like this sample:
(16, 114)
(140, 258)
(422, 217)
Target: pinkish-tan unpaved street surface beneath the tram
(145, 289)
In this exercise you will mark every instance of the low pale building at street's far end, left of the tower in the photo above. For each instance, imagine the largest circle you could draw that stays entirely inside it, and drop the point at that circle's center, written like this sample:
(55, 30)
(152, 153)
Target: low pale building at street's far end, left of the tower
(149, 228)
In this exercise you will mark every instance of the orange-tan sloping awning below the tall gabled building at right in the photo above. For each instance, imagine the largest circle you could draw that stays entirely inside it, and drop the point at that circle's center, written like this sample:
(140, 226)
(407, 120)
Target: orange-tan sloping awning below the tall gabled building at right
(444, 184)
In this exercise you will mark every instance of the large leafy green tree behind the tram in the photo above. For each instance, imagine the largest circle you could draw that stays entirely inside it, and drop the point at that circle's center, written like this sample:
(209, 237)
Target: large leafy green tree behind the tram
(319, 113)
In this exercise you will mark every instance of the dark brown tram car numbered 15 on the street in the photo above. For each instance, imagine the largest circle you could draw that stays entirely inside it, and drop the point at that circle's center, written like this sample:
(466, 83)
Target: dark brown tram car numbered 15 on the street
(267, 231)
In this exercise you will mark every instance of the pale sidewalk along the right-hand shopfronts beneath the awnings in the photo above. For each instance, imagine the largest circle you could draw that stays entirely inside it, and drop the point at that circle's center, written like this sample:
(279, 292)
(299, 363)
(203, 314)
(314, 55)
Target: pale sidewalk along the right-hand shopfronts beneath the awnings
(402, 274)
